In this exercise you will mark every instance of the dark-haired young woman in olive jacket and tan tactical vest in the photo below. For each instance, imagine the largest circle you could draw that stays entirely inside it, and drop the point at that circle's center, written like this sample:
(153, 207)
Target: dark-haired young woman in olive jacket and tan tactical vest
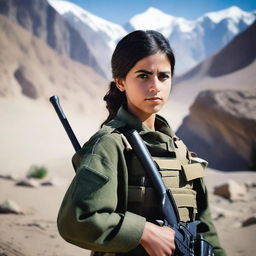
(110, 206)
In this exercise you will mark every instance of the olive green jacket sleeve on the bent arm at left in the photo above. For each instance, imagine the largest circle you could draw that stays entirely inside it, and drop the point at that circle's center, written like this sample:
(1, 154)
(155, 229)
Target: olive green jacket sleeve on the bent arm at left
(90, 215)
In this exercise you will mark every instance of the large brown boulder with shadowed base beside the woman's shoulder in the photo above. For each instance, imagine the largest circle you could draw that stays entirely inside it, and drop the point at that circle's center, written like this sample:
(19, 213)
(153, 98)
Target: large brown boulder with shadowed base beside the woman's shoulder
(221, 128)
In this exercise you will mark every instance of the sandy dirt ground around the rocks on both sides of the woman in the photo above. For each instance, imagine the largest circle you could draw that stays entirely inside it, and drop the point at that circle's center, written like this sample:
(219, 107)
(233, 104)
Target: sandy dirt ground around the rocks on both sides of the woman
(34, 233)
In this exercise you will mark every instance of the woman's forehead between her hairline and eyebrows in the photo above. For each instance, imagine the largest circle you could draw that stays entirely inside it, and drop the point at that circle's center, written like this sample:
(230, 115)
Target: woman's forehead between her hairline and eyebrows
(157, 61)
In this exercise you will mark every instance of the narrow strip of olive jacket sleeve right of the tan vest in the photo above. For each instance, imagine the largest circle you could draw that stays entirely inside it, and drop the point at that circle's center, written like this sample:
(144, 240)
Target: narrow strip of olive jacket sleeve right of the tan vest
(206, 227)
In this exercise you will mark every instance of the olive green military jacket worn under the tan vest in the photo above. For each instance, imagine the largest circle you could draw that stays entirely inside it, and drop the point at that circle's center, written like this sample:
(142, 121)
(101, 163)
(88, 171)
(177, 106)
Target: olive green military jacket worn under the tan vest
(94, 214)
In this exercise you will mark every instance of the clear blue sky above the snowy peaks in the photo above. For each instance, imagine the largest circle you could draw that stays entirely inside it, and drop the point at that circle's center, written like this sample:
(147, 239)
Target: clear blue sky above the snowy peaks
(120, 11)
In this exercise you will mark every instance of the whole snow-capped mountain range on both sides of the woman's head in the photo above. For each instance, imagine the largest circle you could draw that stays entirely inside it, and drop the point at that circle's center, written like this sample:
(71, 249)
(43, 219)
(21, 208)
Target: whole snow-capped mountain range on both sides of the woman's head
(192, 41)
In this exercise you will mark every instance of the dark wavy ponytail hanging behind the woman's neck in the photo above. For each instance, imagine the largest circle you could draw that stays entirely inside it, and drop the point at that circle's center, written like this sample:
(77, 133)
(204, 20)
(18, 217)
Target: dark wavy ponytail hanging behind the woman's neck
(114, 99)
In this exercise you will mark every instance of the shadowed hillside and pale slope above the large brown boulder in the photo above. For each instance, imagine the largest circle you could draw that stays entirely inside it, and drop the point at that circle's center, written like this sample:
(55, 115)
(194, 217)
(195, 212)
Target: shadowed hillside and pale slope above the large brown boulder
(231, 68)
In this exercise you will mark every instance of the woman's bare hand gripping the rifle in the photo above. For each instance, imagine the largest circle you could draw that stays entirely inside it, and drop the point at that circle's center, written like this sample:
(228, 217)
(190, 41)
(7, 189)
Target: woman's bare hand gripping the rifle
(158, 241)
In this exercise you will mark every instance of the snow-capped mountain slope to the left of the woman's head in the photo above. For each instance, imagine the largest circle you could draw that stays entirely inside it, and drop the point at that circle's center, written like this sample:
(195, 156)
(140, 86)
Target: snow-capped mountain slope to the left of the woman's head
(100, 35)
